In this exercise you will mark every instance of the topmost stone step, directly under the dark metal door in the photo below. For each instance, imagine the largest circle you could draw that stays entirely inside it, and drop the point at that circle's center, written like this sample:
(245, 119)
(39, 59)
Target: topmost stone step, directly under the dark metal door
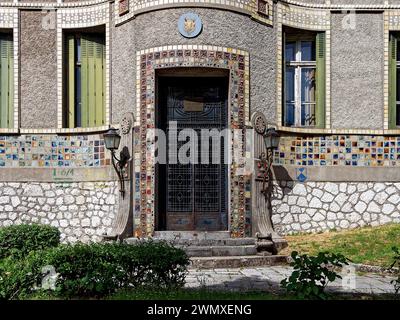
(192, 235)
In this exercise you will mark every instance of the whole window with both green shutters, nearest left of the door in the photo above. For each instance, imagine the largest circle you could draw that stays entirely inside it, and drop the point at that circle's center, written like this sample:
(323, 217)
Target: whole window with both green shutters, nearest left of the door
(85, 81)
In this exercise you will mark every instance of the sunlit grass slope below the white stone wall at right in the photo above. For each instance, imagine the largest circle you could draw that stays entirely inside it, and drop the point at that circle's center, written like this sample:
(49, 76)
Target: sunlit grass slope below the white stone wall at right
(370, 245)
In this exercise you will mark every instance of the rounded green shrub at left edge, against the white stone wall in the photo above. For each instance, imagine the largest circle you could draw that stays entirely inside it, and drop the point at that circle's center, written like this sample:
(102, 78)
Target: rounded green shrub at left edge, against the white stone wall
(18, 240)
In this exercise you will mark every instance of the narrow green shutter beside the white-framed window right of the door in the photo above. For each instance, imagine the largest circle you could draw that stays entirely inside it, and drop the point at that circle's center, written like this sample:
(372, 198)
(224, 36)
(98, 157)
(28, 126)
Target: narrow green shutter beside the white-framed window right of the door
(320, 80)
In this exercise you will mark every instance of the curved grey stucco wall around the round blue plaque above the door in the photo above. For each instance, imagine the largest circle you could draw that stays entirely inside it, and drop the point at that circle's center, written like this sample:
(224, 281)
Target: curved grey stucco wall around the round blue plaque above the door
(221, 28)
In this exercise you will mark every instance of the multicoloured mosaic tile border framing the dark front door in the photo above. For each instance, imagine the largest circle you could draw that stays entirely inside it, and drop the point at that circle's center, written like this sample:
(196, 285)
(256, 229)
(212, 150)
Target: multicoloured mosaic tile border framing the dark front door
(147, 61)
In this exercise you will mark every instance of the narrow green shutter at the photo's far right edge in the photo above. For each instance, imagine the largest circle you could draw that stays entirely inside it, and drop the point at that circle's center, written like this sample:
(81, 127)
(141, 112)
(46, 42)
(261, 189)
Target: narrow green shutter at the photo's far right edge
(392, 81)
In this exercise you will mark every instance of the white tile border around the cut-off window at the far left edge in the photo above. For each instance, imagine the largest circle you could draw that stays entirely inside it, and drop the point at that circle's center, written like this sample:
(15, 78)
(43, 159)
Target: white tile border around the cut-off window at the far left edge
(9, 19)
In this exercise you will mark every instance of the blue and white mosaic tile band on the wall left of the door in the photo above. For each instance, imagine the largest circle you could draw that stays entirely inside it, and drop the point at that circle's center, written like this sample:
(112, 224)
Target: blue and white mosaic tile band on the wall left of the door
(41, 151)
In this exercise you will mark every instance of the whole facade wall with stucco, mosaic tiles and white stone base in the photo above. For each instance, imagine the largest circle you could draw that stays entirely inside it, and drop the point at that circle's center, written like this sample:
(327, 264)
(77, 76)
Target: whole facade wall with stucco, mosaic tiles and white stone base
(343, 176)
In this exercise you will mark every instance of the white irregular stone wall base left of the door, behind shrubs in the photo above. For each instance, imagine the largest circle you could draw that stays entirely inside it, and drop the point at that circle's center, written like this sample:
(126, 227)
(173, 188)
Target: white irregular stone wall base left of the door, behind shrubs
(82, 211)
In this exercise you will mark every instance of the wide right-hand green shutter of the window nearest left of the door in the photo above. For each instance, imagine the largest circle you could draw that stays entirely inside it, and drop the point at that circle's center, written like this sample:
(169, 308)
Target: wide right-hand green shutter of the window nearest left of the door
(93, 81)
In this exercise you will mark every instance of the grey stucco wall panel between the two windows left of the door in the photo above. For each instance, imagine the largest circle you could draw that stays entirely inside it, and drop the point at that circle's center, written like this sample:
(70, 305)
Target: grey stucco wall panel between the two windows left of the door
(38, 72)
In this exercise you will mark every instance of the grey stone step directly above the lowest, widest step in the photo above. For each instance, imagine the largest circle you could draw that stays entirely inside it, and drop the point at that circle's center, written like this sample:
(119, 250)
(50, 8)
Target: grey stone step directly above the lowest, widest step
(217, 251)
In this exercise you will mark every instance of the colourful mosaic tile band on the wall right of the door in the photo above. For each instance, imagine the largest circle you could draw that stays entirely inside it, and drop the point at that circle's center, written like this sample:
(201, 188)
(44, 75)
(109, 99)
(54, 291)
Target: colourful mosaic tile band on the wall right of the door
(339, 150)
